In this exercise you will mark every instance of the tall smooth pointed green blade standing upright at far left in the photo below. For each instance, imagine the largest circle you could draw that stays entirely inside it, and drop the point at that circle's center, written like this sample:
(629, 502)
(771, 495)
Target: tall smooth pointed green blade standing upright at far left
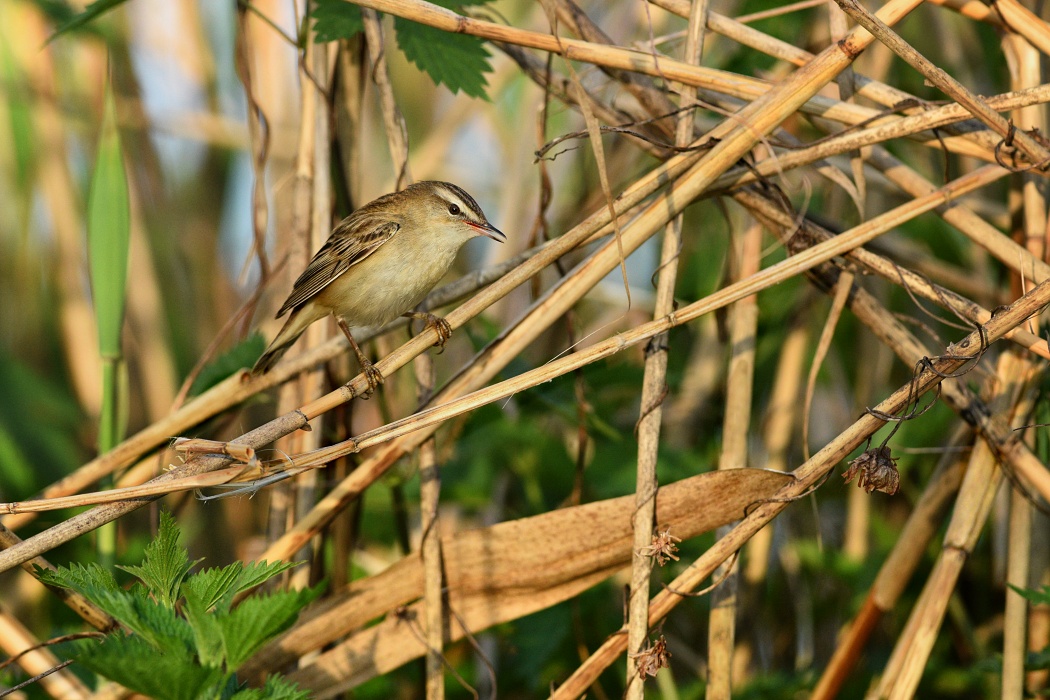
(109, 232)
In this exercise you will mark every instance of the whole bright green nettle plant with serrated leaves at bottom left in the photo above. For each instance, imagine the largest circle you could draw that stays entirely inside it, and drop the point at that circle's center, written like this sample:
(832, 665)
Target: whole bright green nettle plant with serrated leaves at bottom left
(181, 635)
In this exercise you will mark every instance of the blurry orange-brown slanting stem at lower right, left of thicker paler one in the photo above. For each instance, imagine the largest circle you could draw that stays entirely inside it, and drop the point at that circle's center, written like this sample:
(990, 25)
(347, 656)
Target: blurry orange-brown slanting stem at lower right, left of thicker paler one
(923, 523)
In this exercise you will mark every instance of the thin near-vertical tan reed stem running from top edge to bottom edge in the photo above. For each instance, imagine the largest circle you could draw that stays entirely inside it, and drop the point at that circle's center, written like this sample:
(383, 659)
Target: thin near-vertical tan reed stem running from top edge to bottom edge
(654, 394)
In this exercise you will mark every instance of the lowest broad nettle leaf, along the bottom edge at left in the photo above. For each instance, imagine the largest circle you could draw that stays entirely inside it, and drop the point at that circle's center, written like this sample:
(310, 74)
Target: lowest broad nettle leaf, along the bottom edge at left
(134, 664)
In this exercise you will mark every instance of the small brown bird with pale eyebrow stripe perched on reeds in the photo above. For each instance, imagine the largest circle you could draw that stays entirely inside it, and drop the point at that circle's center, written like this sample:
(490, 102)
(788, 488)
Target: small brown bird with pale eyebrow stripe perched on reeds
(381, 263)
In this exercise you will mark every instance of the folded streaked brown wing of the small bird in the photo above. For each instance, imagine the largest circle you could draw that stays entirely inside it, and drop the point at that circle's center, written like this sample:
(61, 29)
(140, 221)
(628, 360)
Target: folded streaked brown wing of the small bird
(353, 241)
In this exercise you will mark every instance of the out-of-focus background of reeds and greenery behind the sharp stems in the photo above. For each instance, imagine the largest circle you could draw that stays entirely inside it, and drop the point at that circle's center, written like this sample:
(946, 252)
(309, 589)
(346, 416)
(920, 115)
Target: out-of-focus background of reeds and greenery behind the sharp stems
(182, 115)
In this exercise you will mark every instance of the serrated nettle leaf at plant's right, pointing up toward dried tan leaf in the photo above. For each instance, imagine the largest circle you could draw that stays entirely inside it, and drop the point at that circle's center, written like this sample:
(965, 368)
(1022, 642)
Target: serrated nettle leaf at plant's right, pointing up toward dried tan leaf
(260, 619)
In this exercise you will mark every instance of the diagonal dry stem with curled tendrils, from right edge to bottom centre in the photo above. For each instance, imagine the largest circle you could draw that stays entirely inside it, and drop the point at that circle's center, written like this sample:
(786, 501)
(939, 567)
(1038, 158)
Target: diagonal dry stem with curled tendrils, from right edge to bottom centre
(809, 475)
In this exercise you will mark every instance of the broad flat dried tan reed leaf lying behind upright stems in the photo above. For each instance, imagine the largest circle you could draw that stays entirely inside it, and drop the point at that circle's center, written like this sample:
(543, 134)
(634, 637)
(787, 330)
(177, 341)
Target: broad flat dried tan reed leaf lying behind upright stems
(501, 574)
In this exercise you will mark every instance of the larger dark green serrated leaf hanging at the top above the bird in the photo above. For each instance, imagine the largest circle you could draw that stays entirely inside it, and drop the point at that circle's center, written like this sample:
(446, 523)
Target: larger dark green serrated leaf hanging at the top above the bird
(455, 60)
